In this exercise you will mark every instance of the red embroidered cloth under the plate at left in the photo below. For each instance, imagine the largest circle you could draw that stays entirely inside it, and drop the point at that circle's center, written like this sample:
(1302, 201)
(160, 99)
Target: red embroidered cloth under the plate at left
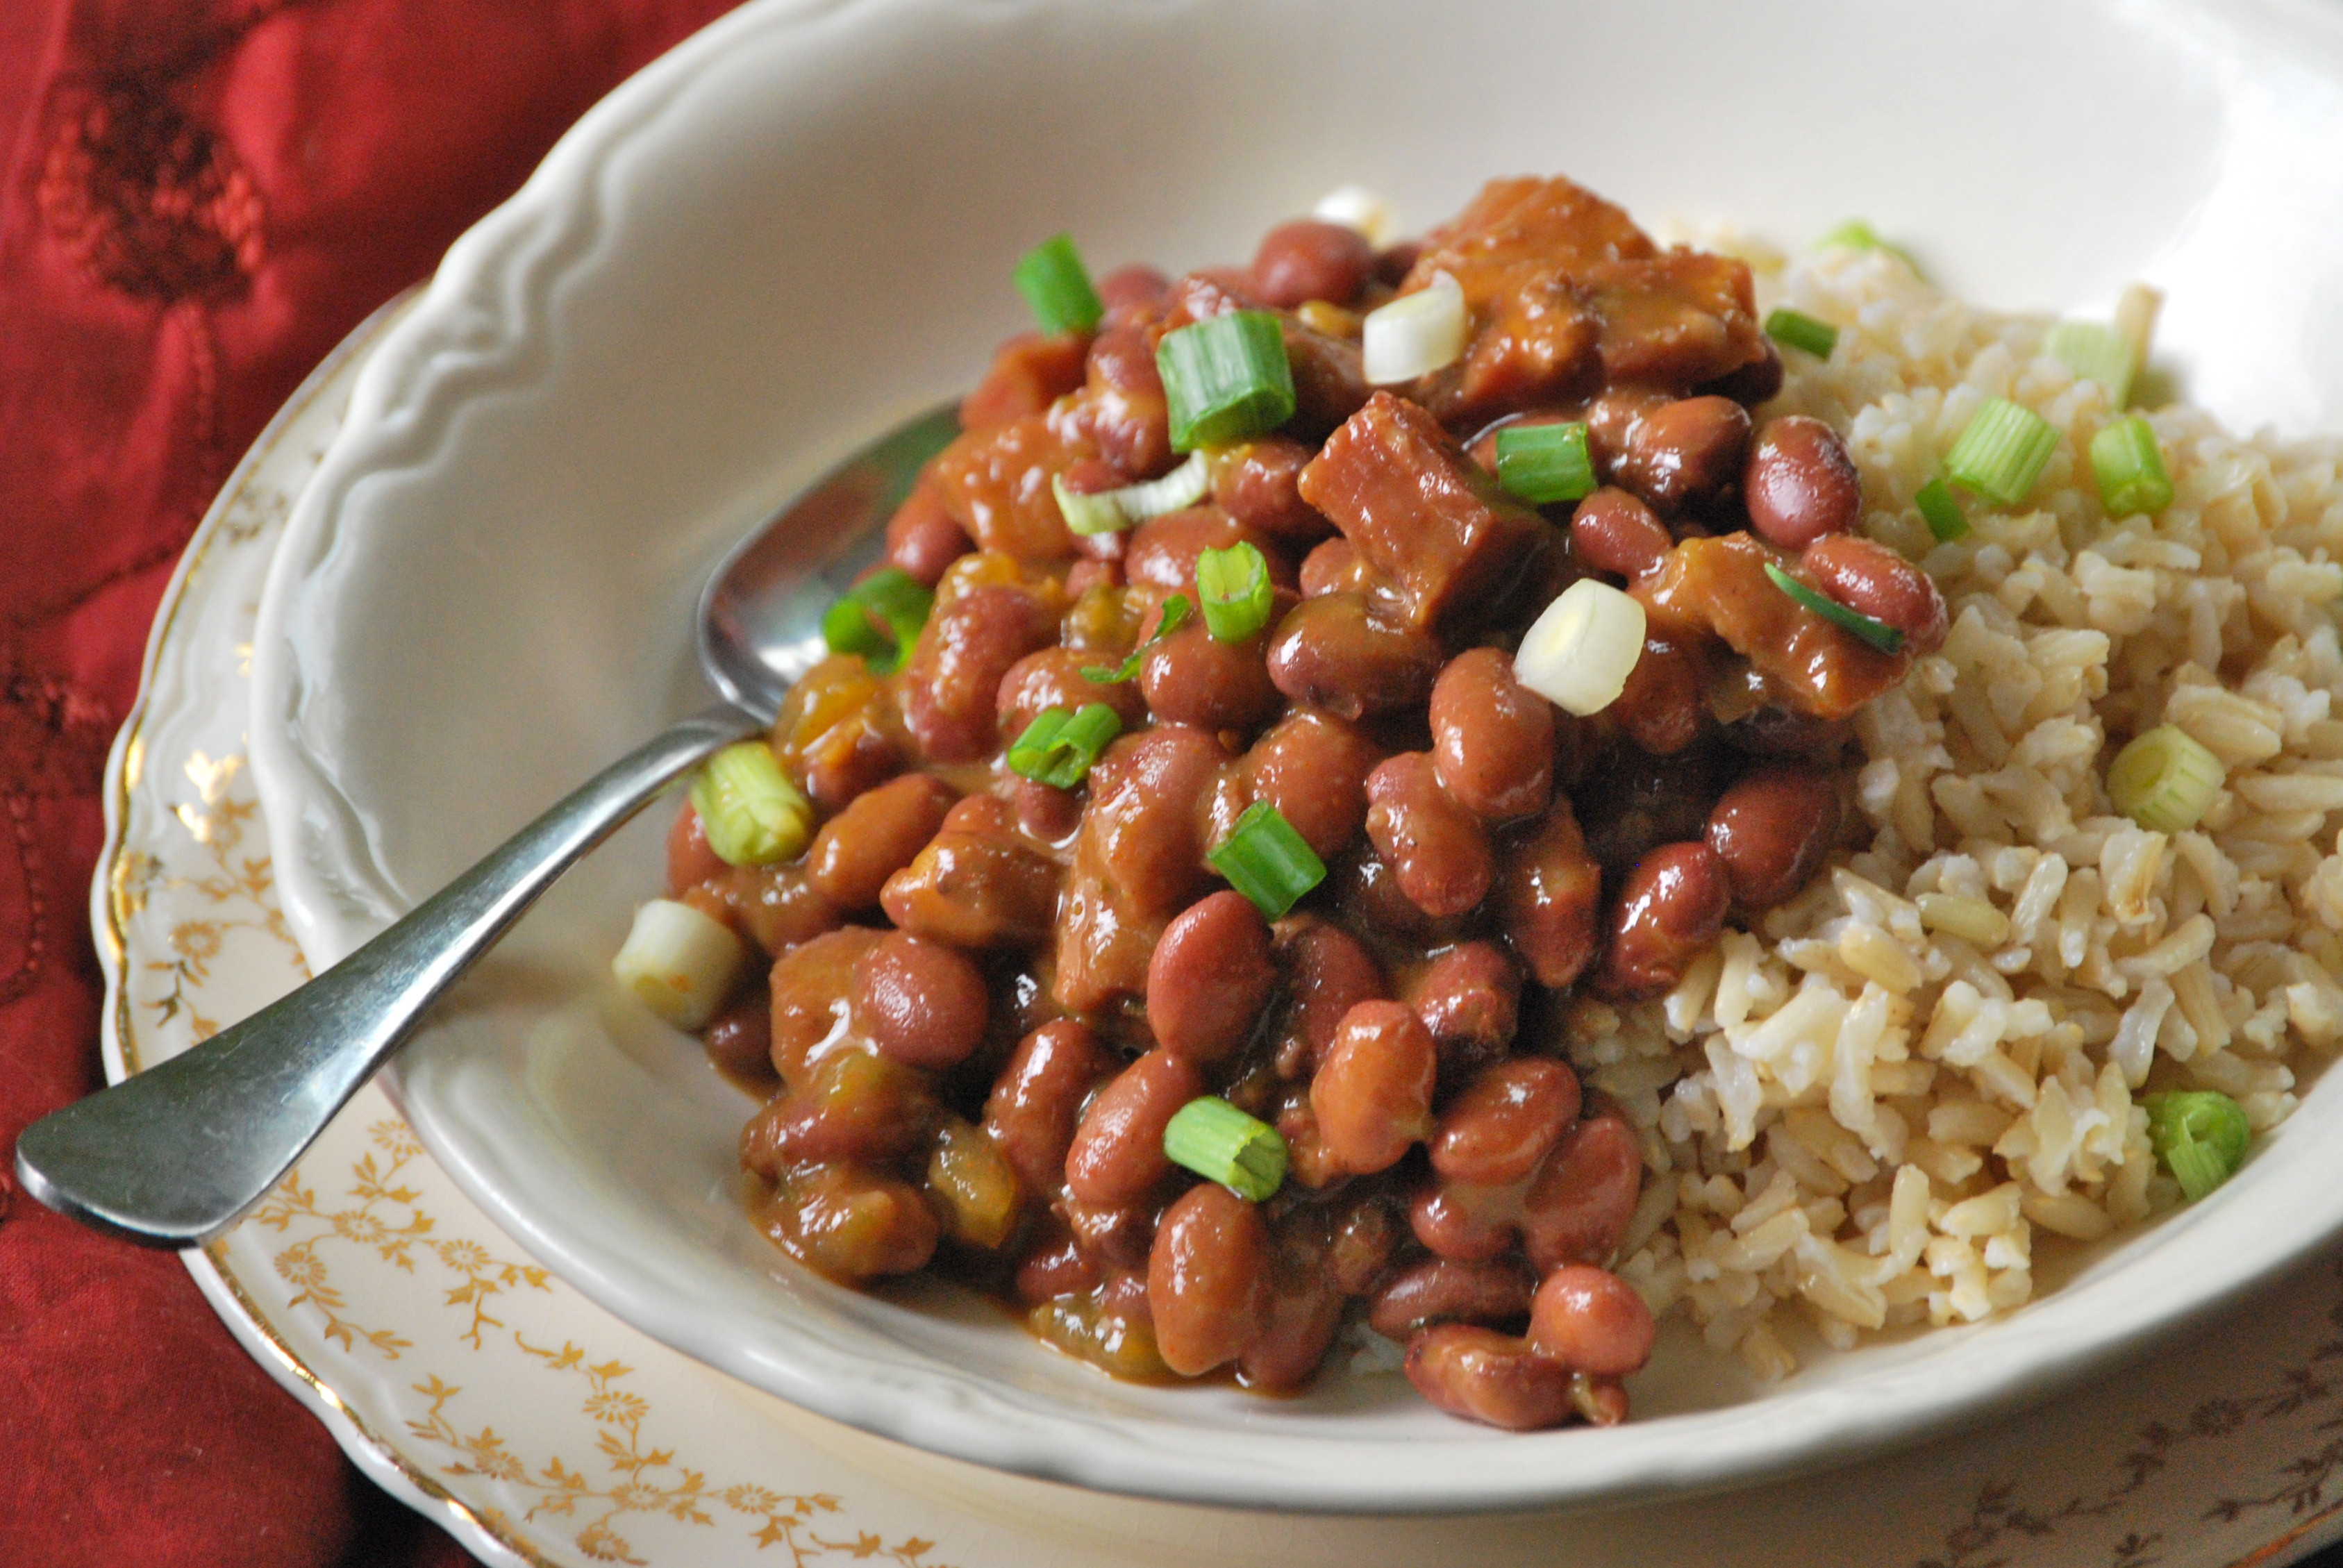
(203, 198)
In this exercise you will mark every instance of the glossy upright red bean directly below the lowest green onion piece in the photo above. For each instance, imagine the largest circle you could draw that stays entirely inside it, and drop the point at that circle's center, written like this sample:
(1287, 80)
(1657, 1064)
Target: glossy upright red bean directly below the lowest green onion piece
(1208, 1279)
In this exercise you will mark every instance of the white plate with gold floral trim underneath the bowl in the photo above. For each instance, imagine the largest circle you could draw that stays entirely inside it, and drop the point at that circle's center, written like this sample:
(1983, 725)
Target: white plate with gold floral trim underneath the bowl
(545, 1431)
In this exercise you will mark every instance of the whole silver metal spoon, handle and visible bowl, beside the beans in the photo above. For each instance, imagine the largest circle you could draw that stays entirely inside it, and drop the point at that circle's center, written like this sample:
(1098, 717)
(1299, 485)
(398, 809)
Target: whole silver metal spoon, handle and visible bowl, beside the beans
(182, 1152)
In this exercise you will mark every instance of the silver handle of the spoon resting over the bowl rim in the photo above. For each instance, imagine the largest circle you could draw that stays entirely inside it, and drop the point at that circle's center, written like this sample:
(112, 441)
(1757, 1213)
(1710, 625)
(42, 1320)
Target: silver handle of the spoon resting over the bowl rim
(175, 1154)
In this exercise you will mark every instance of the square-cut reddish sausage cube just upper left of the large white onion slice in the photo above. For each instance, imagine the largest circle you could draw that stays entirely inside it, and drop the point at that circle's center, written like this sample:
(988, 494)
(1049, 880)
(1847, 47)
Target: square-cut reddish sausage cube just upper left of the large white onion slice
(1423, 517)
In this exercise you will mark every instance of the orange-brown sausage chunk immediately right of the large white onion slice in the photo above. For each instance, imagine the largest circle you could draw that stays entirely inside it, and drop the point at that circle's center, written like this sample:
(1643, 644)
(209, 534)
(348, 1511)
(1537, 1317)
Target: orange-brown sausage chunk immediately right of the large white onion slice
(1721, 587)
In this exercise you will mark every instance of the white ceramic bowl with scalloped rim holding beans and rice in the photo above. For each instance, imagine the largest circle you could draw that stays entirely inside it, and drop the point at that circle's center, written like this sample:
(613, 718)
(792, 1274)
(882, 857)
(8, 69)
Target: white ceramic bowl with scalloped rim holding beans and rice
(800, 226)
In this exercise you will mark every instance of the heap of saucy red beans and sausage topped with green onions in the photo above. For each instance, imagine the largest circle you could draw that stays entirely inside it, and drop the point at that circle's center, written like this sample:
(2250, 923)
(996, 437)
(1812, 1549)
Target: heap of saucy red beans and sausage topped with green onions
(1189, 866)
